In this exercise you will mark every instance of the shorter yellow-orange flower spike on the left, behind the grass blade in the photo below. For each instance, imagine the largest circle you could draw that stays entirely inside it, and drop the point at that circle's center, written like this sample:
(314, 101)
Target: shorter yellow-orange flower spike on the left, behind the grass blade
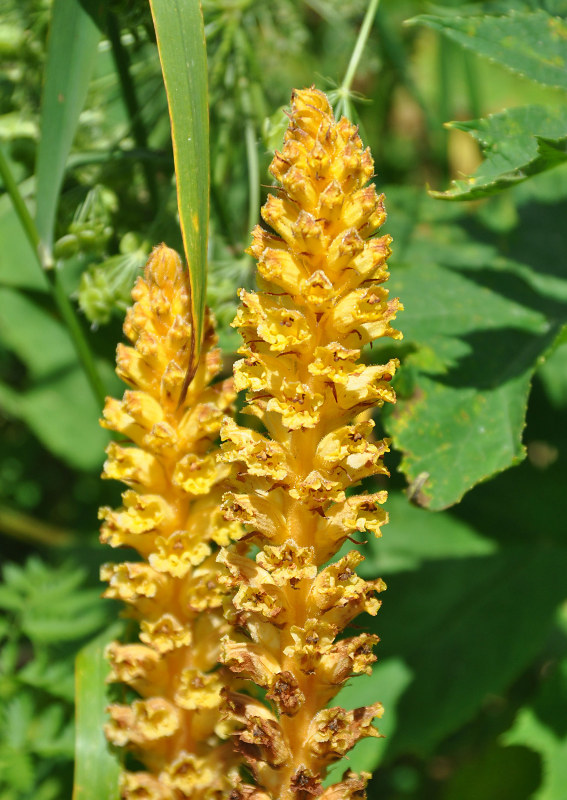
(171, 516)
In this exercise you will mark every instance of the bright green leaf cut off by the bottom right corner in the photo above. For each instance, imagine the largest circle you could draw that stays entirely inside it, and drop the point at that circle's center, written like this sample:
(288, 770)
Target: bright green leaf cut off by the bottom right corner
(542, 727)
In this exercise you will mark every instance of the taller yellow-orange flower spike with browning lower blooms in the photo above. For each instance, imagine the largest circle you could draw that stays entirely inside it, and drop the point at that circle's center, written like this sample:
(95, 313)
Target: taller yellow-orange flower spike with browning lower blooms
(321, 298)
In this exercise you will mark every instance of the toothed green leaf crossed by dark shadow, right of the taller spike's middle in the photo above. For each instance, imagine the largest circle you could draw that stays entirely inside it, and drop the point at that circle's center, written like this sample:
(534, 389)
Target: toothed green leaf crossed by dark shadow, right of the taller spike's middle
(473, 373)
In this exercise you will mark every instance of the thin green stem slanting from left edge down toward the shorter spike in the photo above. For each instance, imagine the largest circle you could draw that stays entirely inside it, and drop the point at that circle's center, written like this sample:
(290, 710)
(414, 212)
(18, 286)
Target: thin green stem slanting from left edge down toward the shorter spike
(60, 298)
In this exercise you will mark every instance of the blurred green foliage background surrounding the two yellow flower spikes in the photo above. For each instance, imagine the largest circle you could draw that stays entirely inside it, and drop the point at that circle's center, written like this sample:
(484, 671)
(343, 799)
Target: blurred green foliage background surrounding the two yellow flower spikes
(466, 98)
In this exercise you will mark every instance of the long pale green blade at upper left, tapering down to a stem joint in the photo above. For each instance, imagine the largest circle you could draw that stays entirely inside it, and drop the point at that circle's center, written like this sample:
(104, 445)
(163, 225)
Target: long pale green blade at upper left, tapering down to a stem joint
(72, 49)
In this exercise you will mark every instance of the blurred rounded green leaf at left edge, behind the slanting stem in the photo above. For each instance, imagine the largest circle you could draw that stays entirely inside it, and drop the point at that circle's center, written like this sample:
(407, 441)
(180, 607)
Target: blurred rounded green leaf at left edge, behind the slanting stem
(58, 405)
